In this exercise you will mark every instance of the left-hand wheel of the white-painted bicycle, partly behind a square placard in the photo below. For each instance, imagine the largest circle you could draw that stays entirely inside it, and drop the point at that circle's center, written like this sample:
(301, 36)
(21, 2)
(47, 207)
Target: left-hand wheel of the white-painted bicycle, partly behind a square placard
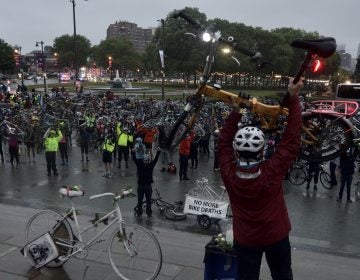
(48, 221)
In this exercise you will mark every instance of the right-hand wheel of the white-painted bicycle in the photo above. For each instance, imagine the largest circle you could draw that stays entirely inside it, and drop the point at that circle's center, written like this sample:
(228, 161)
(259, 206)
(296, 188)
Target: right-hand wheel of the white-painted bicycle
(135, 253)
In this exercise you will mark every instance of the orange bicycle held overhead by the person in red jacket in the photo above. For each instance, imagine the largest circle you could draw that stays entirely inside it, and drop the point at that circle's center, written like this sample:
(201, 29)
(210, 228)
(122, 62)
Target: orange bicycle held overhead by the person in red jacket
(268, 114)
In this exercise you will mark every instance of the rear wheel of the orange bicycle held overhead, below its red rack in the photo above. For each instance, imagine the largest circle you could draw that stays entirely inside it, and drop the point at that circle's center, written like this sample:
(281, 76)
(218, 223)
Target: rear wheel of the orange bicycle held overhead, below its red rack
(333, 136)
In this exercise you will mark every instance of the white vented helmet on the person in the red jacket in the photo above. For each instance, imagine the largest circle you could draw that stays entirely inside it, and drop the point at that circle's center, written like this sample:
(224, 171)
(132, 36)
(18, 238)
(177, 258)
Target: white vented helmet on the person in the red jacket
(249, 139)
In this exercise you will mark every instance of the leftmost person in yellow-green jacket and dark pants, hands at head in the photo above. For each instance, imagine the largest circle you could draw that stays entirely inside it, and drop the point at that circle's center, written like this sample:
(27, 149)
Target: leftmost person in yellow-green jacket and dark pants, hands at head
(51, 143)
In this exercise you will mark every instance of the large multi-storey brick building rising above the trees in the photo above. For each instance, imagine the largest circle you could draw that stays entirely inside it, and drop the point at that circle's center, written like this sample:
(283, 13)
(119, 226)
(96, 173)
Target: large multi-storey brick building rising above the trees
(140, 37)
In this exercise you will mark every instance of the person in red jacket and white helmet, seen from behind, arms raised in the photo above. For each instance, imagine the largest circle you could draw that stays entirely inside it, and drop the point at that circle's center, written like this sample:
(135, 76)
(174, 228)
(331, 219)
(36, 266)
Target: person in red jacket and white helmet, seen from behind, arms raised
(261, 222)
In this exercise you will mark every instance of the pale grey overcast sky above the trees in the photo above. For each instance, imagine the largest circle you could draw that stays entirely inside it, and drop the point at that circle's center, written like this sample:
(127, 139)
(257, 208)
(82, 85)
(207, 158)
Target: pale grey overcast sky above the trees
(23, 22)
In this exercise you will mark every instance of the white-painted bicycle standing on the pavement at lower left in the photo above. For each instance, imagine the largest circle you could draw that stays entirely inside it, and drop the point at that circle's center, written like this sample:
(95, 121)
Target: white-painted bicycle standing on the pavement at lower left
(134, 252)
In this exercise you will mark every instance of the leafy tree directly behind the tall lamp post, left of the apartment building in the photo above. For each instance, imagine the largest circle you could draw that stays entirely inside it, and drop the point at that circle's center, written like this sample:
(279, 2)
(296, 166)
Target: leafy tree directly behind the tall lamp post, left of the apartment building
(64, 47)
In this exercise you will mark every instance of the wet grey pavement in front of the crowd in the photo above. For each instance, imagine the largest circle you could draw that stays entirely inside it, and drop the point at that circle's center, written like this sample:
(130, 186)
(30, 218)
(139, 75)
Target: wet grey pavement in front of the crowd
(324, 236)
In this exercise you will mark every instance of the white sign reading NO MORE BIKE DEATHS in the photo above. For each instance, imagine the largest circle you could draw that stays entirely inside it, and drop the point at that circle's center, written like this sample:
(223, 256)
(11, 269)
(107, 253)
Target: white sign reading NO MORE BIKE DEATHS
(212, 208)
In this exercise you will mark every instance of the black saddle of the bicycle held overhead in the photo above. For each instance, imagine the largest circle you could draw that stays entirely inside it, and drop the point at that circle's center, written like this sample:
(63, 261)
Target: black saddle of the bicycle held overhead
(324, 47)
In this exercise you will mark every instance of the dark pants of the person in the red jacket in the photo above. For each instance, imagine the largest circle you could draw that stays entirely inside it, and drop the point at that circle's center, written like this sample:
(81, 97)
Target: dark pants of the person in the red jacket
(278, 257)
